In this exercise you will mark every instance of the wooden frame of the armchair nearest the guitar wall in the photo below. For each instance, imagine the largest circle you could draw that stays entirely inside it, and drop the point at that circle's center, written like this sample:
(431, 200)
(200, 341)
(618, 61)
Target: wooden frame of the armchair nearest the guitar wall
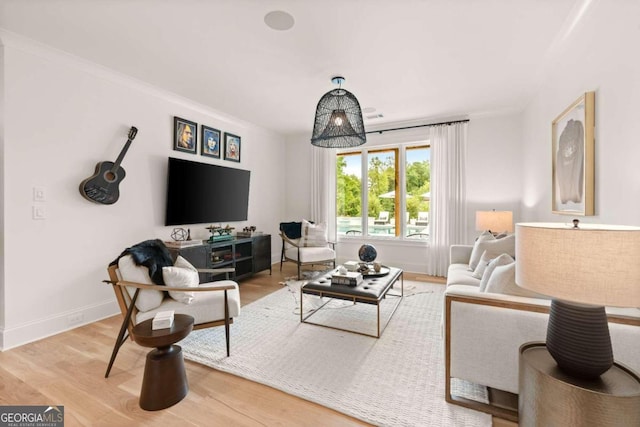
(129, 310)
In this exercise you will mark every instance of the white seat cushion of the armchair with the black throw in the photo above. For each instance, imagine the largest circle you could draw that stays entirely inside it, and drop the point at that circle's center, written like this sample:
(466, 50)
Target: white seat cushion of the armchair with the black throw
(205, 307)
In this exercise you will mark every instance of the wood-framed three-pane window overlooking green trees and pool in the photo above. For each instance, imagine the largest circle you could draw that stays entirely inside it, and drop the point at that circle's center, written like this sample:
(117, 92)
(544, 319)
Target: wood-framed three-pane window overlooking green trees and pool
(391, 184)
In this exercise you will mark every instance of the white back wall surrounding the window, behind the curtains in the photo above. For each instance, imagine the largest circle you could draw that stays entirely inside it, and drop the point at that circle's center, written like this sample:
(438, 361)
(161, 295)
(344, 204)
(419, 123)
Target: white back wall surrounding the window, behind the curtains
(493, 182)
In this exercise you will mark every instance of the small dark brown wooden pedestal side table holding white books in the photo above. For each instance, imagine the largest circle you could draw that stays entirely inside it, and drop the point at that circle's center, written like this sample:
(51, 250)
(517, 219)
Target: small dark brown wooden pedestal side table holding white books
(165, 380)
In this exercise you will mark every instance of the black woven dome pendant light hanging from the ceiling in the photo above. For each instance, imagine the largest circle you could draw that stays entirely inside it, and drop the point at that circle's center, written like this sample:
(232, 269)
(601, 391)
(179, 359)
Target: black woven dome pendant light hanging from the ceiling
(338, 121)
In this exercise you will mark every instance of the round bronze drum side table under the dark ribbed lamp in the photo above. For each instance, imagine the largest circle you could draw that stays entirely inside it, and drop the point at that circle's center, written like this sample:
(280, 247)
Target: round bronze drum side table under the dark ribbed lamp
(549, 397)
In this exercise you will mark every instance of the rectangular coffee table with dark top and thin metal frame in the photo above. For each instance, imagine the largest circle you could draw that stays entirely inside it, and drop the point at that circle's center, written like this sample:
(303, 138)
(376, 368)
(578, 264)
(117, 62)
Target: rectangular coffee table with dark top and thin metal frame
(375, 289)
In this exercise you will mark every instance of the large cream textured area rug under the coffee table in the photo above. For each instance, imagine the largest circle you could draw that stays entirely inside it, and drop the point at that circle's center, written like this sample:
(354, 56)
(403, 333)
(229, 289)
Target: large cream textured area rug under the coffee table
(397, 380)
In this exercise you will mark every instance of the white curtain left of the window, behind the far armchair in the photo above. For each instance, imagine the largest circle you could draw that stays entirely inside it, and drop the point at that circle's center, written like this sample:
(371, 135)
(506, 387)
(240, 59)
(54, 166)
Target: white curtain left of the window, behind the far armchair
(323, 183)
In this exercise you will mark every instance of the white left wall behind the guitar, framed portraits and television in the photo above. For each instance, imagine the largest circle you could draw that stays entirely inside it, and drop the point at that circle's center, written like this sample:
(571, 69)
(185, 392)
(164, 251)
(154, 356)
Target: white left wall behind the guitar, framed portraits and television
(62, 116)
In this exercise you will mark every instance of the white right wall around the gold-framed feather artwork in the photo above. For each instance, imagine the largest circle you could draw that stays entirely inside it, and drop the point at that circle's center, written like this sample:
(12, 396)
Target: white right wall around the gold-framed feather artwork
(598, 55)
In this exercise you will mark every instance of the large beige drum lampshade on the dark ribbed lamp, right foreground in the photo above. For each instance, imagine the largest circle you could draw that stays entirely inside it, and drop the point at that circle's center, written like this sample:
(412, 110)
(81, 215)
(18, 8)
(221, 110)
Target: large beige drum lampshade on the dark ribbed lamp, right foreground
(592, 264)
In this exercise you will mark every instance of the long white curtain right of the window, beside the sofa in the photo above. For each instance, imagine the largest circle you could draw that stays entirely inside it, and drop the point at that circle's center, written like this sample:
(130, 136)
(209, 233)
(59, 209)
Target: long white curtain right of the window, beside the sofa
(448, 193)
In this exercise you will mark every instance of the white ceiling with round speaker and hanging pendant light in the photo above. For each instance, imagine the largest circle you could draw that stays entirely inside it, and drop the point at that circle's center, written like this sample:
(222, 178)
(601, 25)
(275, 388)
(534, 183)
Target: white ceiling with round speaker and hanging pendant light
(407, 59)
